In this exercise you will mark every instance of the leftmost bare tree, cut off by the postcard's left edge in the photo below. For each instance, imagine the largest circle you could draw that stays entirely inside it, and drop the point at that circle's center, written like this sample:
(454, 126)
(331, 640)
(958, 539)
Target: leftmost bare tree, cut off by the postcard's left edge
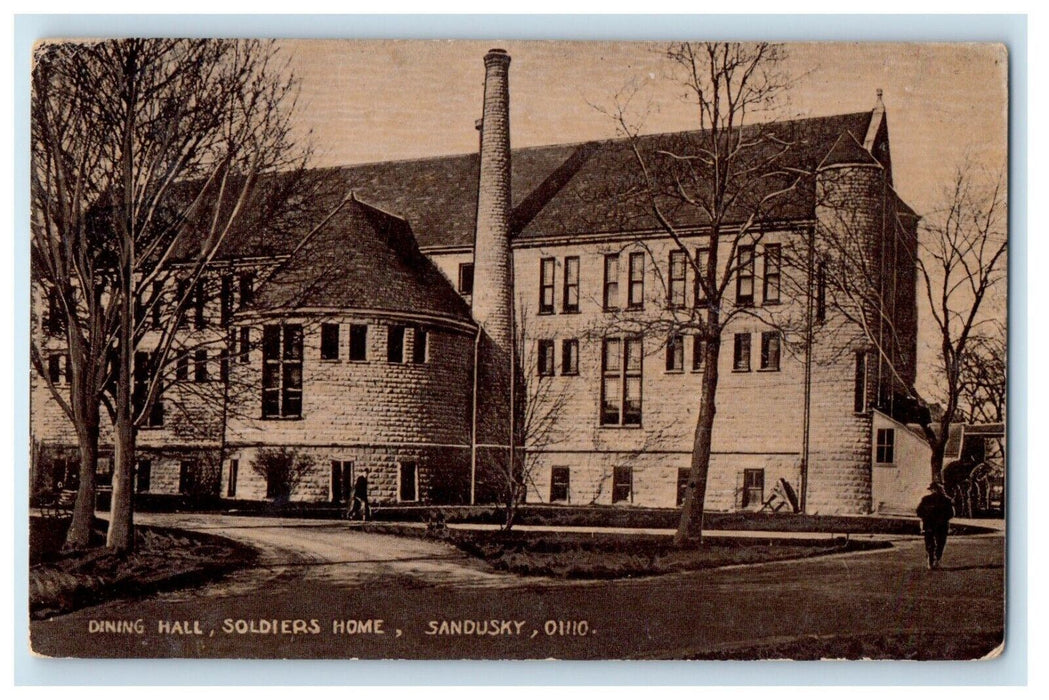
(73, 268)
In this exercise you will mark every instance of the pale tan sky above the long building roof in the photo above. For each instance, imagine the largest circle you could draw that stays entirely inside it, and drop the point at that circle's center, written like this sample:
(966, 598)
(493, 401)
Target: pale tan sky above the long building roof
(360, 102)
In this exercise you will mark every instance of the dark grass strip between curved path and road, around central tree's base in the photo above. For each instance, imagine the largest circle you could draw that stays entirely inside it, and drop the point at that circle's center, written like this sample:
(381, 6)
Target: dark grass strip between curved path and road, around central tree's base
(585, 556)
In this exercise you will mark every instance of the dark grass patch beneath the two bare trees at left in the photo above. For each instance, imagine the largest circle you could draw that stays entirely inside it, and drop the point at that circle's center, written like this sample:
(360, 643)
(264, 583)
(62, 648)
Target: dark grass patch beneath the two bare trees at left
(63, 582)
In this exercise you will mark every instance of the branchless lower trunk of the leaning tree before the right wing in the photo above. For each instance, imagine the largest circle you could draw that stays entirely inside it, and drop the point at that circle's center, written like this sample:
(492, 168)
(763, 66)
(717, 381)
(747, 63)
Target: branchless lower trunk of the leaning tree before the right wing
(691, 525)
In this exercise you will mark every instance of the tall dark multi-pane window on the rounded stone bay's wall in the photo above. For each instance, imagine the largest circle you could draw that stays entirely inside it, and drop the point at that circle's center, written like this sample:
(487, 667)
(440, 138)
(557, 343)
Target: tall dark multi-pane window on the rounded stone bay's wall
(283, 371)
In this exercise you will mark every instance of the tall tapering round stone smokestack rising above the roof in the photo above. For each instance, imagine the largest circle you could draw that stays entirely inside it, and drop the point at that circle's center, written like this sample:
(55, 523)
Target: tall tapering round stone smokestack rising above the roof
(493, 263)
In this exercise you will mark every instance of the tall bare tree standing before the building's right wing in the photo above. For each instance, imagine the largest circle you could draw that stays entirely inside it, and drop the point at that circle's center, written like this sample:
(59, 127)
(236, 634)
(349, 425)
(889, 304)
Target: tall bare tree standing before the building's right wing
(726, 180)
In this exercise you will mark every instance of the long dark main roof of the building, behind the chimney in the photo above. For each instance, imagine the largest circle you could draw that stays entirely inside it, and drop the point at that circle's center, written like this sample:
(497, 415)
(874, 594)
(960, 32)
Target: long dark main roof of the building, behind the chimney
(565, 190)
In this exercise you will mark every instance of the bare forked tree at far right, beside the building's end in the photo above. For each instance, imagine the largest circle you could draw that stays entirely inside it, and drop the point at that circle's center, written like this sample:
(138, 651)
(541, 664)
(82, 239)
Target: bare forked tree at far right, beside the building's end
(961, 263)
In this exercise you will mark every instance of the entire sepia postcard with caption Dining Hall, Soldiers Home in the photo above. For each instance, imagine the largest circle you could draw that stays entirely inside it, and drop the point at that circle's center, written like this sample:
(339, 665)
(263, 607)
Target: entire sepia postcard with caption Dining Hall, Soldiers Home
(518, 350)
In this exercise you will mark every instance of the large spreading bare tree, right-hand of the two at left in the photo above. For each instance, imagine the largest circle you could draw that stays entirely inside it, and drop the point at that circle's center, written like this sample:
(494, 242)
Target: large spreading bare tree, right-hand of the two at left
(185, 131)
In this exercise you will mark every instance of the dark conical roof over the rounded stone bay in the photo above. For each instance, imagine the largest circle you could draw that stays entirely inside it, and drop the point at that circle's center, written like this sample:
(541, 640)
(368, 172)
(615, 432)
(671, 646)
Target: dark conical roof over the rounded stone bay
(361, 258)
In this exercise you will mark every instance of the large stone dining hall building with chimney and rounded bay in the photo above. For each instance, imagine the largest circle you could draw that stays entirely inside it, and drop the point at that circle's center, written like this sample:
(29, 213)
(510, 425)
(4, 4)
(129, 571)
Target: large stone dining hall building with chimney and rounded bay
(457, 308)
